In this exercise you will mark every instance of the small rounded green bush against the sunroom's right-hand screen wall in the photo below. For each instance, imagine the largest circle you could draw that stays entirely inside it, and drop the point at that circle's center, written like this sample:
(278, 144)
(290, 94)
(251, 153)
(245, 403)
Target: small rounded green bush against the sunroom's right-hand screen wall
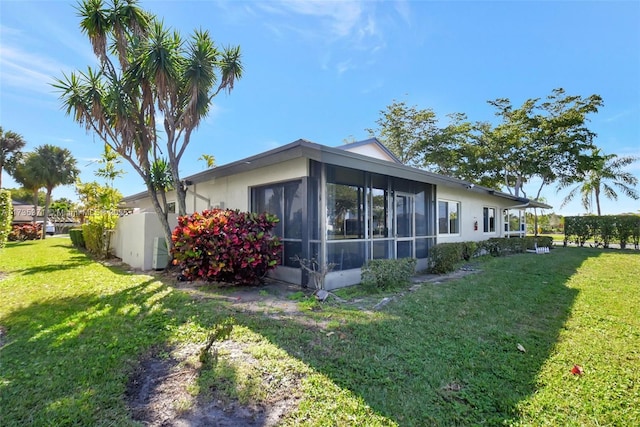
(383, 274)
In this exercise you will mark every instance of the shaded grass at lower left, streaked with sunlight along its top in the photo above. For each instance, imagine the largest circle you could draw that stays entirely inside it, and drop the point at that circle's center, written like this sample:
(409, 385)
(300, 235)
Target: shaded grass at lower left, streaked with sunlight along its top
(63, 359)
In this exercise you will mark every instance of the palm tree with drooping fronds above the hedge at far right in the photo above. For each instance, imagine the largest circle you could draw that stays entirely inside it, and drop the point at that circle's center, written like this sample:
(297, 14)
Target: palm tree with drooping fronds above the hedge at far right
(604, 174)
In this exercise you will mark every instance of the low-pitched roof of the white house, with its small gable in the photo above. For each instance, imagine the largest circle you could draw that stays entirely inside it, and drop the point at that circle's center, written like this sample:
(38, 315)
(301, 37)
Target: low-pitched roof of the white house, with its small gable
(338, 156)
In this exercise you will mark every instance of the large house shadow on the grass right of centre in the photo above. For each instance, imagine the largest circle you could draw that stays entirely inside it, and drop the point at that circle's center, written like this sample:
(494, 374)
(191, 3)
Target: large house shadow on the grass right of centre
(447, 354)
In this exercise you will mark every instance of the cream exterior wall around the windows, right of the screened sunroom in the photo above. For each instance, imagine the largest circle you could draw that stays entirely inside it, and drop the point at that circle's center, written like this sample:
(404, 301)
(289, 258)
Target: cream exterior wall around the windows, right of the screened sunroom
(471, 210)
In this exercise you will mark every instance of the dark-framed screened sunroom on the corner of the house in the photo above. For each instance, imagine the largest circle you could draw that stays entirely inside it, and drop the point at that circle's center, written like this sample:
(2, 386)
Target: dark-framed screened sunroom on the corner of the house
(344, 217)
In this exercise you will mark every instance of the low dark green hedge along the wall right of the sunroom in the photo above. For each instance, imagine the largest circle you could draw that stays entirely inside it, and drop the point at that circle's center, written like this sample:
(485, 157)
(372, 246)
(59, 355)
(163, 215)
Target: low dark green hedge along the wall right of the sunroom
(444, 257)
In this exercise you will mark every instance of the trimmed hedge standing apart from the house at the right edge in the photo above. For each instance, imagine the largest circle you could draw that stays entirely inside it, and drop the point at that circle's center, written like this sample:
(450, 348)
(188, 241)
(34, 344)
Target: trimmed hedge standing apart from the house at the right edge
(604, 230)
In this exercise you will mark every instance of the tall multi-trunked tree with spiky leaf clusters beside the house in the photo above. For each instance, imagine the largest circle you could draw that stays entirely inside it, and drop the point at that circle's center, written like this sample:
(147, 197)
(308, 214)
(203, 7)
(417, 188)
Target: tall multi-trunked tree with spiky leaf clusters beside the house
(159, 75)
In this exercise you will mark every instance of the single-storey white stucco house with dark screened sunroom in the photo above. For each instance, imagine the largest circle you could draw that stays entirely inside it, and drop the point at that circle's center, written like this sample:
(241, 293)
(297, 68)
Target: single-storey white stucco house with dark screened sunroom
(342, 205)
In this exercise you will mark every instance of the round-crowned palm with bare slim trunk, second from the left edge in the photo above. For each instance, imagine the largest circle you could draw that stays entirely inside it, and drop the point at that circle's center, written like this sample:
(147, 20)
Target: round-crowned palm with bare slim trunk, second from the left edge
(58, 167)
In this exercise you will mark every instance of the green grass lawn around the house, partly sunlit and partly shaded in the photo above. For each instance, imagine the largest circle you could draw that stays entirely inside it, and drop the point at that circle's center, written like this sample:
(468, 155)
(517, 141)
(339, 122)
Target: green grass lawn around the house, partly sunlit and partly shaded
(72, 332)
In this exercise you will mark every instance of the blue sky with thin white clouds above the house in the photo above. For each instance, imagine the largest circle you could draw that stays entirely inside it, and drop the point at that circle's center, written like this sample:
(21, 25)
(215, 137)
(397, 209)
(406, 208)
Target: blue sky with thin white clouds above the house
(323, 70)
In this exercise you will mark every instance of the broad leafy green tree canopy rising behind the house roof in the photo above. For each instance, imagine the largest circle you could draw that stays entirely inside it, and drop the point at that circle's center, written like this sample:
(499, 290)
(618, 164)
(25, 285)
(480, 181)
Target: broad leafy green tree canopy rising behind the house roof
(543, 138)
